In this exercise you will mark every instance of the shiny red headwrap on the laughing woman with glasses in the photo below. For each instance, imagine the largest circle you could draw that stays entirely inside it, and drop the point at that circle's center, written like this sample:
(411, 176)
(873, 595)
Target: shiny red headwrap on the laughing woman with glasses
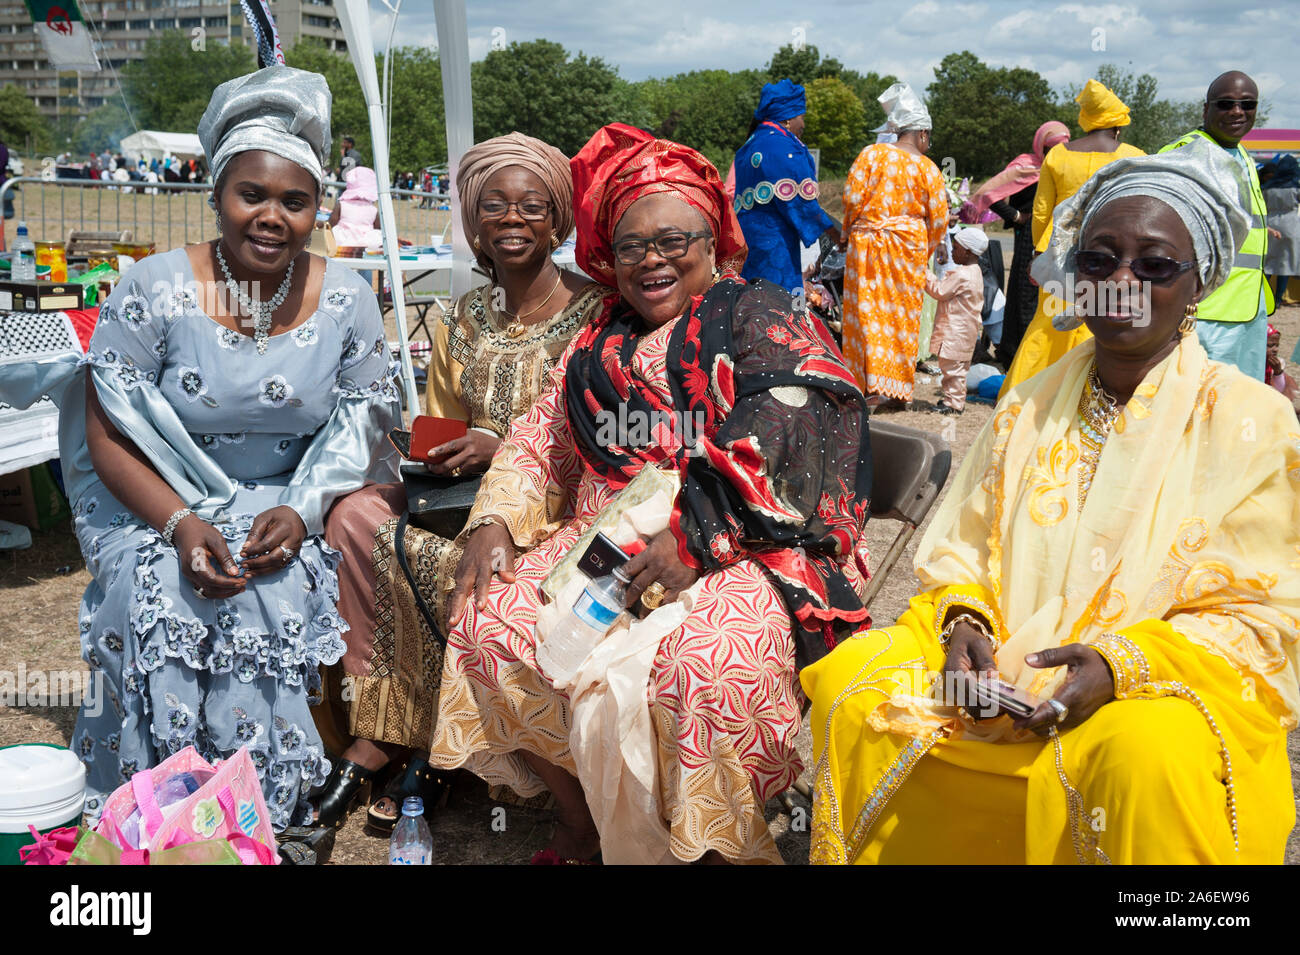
(622, 164)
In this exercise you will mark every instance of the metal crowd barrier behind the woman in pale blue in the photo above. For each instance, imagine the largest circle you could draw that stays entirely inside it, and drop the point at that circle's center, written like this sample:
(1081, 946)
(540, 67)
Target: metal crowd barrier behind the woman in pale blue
(168, 214)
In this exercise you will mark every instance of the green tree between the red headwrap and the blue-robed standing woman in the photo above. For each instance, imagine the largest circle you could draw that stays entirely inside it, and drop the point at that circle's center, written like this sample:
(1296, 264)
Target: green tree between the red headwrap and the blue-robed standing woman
(709, 111)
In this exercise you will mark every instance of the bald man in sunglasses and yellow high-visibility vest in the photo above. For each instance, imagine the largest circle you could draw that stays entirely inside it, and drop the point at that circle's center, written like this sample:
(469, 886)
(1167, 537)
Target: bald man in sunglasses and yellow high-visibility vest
(1233, 322)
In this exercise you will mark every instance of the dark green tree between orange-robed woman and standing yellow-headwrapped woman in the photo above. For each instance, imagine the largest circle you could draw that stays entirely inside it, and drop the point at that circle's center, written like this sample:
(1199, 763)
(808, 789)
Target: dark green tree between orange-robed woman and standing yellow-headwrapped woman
(986, 116)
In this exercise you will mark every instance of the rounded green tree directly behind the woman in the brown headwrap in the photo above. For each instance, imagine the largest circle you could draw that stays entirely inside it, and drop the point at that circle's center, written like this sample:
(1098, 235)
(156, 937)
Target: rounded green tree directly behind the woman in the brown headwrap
(536, 89)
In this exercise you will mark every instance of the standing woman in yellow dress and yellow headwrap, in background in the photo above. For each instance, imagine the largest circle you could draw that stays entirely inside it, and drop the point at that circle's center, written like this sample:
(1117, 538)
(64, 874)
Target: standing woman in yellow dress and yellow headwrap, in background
(1065, 170)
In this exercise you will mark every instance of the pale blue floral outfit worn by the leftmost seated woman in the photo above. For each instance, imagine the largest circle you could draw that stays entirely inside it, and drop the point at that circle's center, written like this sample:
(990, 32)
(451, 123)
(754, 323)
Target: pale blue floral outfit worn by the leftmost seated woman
(235, 433)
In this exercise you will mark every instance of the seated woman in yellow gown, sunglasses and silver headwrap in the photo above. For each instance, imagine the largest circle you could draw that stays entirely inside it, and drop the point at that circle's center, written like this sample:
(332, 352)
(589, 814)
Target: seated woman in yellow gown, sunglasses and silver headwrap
(1124, 544)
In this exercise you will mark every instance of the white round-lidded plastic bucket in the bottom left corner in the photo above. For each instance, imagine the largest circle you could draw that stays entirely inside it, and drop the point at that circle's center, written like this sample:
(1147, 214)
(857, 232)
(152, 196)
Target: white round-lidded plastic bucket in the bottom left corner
(41, 785)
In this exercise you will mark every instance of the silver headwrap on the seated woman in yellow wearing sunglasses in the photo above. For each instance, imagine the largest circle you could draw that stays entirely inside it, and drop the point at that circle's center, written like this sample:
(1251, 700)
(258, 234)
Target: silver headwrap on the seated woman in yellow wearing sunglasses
(1198, 181)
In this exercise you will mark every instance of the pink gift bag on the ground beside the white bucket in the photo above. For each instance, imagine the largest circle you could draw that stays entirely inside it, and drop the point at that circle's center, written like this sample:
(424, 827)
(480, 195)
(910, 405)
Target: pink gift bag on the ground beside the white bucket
(187, 800)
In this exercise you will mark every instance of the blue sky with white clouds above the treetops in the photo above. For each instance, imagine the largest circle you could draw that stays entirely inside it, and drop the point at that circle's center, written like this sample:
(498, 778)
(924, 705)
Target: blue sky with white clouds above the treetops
(1182, 44)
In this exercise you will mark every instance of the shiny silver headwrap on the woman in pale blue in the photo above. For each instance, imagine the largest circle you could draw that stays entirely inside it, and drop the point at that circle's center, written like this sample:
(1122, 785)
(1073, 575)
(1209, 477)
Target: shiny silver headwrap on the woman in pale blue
(278, 110)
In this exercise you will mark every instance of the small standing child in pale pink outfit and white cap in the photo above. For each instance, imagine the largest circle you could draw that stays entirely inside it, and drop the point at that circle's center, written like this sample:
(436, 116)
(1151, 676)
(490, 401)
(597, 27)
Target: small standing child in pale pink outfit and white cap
(957, 322)
